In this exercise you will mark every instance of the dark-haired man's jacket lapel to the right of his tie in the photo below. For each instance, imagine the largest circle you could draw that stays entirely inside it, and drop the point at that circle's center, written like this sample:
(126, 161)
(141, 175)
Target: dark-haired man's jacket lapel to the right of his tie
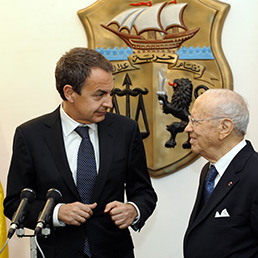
(106, 145)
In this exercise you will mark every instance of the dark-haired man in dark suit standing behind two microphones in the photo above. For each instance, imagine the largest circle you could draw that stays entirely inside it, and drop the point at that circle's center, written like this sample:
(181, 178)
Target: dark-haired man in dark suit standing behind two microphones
(45, 156)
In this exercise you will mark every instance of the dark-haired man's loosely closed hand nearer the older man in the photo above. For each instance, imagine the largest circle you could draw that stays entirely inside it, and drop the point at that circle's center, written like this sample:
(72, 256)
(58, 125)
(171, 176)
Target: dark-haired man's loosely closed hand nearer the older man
(123, 214)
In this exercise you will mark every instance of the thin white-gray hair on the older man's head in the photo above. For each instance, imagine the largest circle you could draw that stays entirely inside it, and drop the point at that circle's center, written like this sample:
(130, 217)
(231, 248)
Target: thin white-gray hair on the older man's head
(232, 105)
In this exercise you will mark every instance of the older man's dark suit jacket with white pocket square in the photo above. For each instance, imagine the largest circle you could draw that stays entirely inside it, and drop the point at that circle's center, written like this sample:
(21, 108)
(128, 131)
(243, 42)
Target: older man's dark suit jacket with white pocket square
(235, 236)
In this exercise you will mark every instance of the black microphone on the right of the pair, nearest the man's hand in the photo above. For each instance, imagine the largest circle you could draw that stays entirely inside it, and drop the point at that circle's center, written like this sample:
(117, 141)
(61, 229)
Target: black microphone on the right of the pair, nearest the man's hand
(52, 196)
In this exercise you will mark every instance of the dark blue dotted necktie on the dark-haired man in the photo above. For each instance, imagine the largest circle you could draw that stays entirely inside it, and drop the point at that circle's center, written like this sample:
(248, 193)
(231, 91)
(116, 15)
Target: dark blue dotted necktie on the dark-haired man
(86, 171)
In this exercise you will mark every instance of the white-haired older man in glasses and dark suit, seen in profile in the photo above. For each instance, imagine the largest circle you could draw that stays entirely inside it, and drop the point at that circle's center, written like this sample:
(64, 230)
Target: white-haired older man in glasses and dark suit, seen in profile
(224, 222)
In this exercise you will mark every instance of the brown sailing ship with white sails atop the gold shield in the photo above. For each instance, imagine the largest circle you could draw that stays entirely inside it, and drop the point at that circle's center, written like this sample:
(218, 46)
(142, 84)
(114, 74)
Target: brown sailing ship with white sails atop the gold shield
(159, 27)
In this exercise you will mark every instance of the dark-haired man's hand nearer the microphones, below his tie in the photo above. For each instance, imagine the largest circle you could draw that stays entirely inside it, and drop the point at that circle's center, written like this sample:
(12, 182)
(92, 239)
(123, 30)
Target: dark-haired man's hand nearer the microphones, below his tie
(75, 213)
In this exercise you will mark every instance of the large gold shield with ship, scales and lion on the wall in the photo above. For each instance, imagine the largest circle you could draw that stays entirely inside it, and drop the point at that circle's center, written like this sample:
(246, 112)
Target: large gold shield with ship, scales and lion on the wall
(164, 55)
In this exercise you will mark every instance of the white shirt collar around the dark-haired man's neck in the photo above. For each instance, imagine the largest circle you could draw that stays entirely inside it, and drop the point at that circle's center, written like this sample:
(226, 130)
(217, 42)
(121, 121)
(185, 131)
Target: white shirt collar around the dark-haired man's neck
(68, 124)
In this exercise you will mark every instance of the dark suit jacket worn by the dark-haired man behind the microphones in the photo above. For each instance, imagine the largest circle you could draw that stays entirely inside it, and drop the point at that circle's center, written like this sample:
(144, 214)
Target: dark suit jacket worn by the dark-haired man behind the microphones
(39, 161)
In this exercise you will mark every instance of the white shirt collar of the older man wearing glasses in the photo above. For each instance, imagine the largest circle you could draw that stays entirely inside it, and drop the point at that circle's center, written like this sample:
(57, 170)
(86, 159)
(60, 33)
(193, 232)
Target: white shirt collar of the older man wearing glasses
(222, 164)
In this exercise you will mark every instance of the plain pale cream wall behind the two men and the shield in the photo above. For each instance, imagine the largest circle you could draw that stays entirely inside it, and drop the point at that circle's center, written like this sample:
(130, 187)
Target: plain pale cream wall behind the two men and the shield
(34, 34)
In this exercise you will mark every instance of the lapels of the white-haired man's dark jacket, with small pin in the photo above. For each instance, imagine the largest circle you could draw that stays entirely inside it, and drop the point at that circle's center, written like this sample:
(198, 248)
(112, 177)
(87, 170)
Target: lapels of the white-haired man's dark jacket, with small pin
(226, 184)
